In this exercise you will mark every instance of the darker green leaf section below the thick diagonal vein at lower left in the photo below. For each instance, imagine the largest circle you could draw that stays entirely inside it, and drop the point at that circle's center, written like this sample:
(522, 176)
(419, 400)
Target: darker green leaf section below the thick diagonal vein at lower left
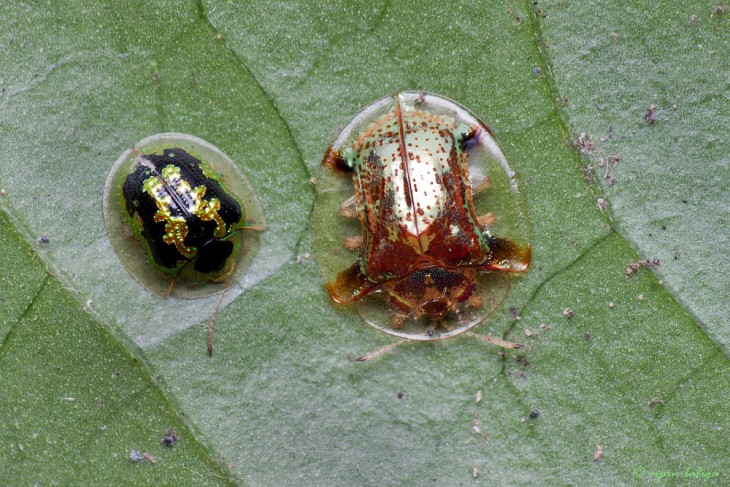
(75, 406)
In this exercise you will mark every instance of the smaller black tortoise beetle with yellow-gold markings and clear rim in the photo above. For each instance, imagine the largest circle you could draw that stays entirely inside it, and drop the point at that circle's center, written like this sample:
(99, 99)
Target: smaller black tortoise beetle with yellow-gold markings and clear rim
(188, 210)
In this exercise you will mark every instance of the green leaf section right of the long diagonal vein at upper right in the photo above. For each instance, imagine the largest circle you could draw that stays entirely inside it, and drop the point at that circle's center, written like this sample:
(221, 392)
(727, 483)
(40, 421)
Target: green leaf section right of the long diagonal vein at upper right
(668, 192)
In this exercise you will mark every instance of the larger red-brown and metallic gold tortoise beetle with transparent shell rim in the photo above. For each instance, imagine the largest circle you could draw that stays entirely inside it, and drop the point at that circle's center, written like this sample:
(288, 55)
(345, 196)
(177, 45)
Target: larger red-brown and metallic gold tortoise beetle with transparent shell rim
(426, 243)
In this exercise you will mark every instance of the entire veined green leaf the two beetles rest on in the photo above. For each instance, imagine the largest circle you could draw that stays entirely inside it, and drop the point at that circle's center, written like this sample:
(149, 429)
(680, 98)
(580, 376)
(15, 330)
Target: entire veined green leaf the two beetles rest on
(638, 373)
